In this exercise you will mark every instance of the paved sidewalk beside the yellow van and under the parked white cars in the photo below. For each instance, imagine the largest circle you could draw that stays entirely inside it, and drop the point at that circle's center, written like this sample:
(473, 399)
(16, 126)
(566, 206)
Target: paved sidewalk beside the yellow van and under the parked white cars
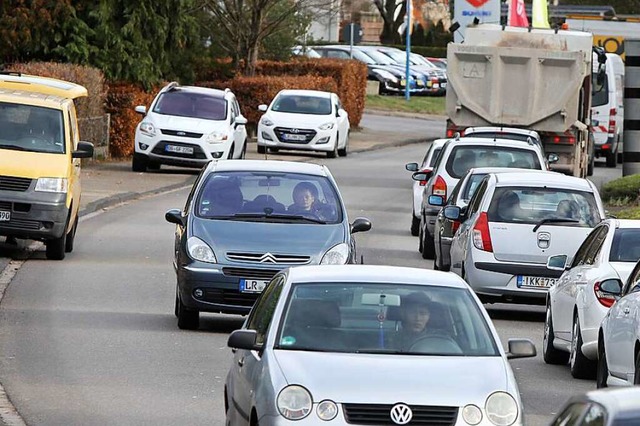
(107, 183)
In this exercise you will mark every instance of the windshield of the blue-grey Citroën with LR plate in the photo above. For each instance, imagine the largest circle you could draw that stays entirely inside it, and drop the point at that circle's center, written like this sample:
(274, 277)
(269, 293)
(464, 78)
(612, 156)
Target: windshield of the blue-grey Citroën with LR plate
(269, 196)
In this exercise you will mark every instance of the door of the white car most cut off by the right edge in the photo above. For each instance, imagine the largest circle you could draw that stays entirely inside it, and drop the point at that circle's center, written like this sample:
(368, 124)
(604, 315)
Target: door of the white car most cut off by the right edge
(621, 329)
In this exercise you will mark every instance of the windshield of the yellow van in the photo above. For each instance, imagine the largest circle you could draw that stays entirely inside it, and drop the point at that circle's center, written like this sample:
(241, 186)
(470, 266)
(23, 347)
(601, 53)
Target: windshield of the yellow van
(31, 128)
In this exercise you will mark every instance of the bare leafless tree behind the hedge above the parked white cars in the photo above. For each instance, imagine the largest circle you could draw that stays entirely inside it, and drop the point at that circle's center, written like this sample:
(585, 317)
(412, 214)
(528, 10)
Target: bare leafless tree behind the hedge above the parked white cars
(239, 26)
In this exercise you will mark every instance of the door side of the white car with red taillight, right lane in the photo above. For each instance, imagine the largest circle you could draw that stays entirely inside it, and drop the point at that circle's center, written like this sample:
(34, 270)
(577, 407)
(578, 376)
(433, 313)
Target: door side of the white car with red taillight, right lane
(568, 286)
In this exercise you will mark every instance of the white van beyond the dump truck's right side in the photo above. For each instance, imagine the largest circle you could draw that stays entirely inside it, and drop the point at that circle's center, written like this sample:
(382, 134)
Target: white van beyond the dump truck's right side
(607, 110)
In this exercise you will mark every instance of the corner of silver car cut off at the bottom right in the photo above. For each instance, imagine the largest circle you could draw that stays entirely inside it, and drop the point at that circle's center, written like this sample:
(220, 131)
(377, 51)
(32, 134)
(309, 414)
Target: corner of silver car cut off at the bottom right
(607, 407)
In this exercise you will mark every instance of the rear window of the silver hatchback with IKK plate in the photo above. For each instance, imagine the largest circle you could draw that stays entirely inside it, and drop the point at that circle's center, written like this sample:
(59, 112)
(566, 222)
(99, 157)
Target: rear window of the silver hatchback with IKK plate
(532, 205)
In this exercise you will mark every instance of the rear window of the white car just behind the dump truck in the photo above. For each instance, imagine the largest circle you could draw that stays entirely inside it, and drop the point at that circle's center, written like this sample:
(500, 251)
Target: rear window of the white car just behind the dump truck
(462, 158)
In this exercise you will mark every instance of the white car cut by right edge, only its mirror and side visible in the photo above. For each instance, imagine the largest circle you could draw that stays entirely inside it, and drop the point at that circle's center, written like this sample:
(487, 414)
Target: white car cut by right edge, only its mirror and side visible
(619, 334)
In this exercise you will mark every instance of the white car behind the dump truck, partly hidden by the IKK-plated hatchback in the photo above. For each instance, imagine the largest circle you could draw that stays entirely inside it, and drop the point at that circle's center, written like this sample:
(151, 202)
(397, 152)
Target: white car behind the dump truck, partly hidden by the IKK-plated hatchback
(457, 156)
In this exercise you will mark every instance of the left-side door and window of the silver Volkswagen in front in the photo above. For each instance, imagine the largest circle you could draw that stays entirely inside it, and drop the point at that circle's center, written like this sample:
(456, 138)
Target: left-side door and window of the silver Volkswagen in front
(247, 365)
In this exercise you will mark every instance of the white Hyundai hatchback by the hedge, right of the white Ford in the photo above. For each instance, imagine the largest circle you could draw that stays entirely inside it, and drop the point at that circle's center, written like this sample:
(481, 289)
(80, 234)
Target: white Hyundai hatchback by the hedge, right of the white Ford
(309, 120)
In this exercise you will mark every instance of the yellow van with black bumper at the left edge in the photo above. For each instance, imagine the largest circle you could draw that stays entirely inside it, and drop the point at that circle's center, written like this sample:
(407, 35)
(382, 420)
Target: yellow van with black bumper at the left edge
(40, 154)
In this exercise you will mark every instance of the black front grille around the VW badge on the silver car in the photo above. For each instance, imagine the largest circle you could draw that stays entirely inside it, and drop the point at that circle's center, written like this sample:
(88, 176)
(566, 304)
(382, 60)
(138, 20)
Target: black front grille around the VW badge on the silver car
(380, 414)
